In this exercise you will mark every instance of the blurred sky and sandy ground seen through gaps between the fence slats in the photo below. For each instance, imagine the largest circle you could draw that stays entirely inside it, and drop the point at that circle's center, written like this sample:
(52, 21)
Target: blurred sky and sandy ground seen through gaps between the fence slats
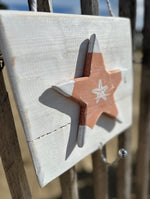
(84, 168)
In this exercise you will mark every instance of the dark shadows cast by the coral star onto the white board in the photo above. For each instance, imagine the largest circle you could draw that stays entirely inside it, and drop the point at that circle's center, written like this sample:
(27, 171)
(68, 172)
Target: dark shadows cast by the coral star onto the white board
(53, 99)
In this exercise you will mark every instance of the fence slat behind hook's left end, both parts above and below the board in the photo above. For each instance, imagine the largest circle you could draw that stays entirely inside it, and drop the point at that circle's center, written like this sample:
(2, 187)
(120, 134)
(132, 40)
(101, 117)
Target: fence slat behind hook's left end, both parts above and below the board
(91, 7)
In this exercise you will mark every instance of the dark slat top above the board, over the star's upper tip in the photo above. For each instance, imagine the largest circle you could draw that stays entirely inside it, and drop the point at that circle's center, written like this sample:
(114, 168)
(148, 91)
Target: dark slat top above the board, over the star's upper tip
(89, 7)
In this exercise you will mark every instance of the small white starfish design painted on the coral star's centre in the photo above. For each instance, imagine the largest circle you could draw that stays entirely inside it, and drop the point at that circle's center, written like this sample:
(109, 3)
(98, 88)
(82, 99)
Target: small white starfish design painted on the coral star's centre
(100, 91)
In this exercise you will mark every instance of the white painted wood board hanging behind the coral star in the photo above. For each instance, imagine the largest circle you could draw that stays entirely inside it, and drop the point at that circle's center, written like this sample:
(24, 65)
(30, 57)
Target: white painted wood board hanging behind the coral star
(41, 50)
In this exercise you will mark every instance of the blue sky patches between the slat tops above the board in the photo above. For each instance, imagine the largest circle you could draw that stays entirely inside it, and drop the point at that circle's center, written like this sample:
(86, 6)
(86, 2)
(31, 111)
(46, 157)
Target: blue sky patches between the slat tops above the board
(73, 7)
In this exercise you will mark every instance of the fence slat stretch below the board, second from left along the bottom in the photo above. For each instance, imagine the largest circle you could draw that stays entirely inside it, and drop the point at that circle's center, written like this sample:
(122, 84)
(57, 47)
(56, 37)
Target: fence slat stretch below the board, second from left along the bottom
(69, 184)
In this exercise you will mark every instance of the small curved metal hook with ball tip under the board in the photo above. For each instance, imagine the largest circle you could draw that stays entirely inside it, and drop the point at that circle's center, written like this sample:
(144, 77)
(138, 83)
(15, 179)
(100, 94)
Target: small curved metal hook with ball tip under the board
(122, 153)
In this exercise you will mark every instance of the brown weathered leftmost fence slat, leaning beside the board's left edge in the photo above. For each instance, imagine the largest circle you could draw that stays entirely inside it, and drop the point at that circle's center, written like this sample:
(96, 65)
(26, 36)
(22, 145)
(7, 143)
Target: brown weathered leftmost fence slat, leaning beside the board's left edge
(9, 149)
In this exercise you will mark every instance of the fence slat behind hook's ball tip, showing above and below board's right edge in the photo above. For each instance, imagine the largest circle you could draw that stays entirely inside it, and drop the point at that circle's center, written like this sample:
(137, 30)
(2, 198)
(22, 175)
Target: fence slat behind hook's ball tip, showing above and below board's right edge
(127, 8)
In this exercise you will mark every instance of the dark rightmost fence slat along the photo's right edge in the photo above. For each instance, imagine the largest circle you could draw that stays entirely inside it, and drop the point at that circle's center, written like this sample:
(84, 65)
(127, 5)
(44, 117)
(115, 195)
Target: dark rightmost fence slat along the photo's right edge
(143, 155)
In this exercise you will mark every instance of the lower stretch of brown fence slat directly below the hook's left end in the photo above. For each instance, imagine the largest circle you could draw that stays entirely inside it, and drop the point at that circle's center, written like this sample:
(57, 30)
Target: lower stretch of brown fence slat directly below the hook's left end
(100, 174)
